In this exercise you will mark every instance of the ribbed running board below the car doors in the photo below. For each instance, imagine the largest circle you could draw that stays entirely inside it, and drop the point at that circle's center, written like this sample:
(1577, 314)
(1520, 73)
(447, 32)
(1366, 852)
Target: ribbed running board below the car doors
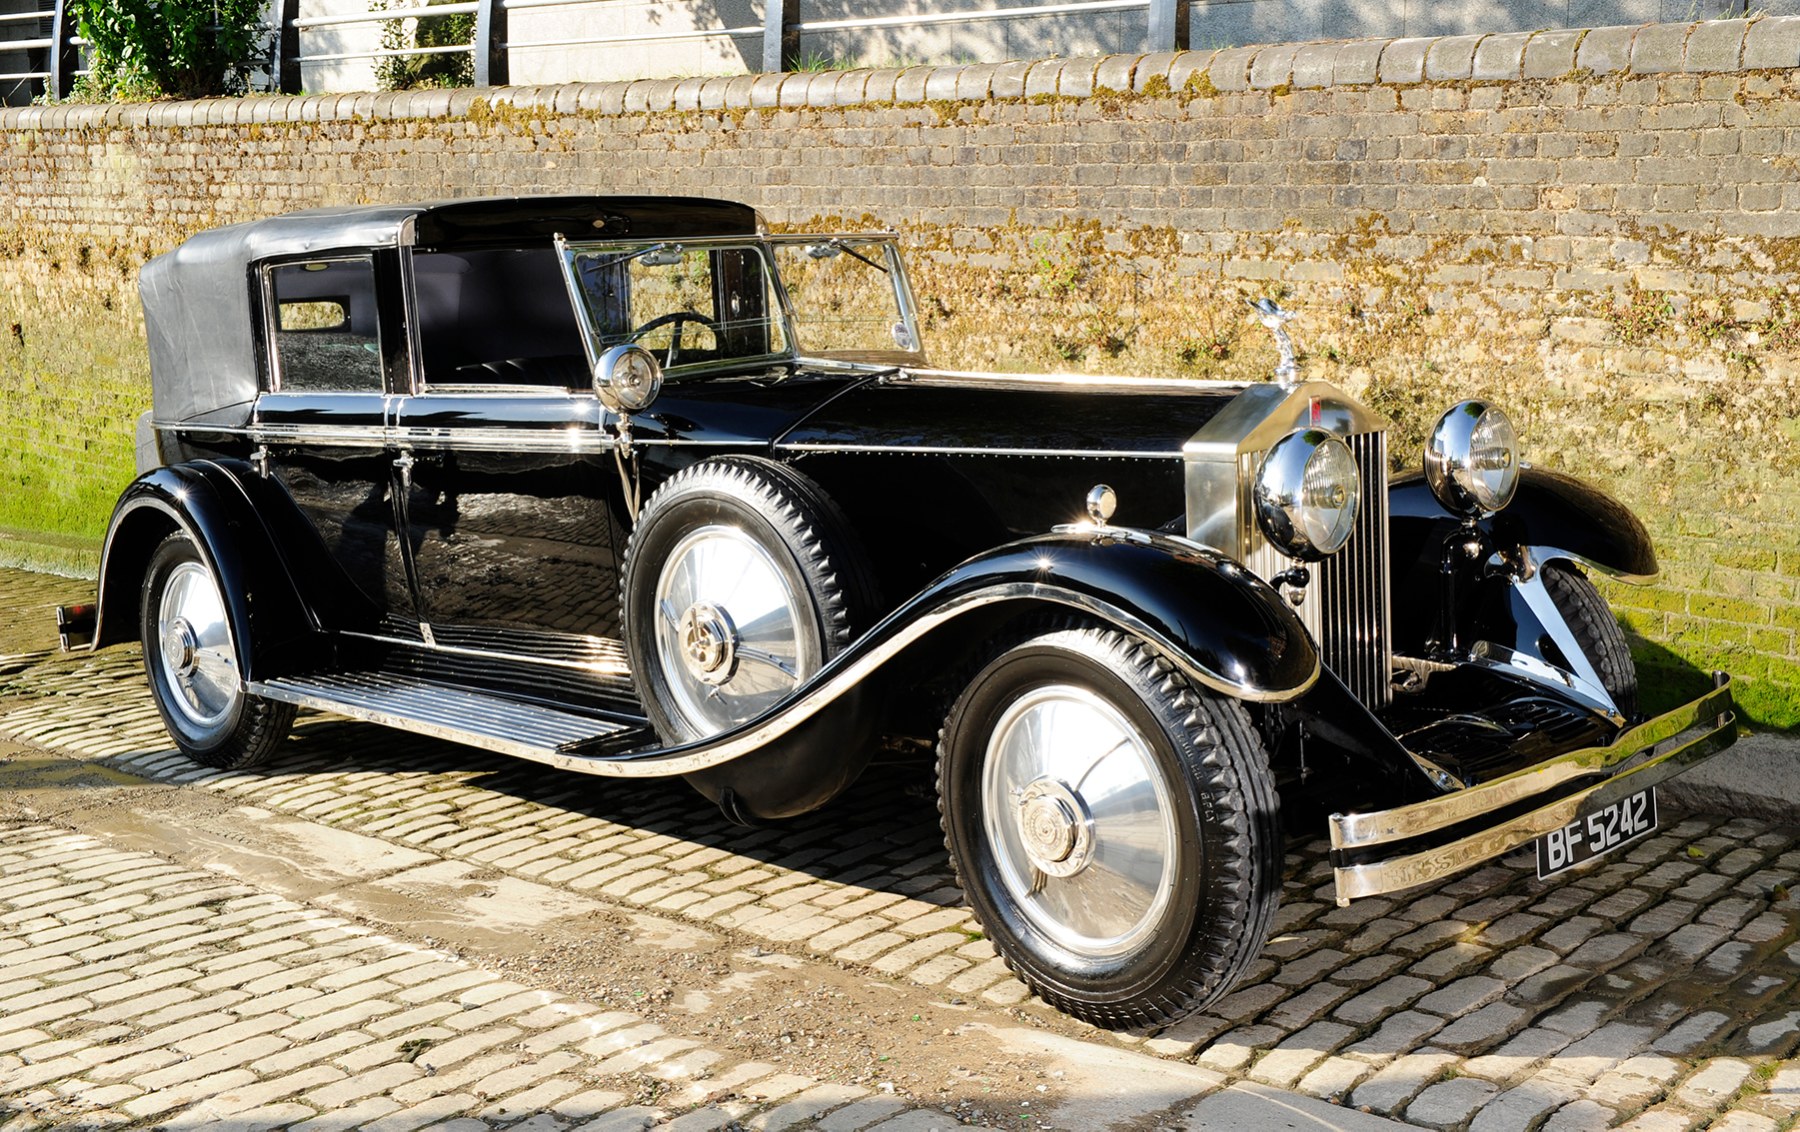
(544, 735)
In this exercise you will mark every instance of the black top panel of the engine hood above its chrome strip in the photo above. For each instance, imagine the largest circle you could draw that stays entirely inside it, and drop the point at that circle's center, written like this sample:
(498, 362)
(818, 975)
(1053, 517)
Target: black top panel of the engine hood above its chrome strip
(1014, 415)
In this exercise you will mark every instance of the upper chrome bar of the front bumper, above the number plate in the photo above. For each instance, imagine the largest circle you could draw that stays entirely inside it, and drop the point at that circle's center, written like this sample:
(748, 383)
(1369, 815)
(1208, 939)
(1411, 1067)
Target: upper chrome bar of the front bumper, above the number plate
(1358, 831)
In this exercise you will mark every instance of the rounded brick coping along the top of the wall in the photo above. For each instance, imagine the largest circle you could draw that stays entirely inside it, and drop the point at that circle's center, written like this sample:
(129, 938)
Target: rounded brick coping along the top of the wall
(1713, 46)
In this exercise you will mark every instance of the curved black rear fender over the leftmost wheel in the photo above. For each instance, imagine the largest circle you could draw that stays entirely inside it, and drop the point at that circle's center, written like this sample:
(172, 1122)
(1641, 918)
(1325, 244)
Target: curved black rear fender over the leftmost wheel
(271, 625)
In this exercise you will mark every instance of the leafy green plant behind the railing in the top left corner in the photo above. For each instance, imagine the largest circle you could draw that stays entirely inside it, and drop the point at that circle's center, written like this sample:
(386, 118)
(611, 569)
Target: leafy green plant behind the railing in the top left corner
(188, 49)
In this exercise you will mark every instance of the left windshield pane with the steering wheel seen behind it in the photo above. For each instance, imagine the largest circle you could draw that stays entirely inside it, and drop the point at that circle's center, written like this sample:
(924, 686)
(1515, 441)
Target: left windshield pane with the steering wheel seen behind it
(692, 307)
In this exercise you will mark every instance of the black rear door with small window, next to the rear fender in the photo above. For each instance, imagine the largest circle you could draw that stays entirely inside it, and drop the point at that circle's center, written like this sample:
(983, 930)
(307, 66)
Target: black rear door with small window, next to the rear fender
(323, 426)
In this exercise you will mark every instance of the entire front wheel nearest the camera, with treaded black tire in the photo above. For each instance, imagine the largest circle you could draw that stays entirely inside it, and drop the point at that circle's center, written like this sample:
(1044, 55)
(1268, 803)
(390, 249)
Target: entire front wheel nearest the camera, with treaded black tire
(1223, 881)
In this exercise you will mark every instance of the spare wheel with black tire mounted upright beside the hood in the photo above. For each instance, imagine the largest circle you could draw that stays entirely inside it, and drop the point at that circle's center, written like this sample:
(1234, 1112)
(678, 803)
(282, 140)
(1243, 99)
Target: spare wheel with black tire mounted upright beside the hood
(811, 552)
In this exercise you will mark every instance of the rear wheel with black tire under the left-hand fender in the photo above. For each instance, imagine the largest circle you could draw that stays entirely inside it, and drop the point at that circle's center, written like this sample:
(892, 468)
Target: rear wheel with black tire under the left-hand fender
(231, 730)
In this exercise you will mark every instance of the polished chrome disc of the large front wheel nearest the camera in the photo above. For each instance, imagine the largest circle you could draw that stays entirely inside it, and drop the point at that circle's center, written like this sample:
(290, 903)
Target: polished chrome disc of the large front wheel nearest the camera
(1081, 822)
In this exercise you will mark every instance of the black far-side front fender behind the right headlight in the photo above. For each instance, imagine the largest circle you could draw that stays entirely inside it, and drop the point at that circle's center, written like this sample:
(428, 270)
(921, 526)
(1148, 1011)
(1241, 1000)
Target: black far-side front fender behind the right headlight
(1552, 516)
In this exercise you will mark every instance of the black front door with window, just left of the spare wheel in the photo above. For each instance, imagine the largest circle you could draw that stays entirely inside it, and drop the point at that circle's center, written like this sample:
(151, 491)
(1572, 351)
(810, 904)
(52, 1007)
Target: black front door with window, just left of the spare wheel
(512, 490)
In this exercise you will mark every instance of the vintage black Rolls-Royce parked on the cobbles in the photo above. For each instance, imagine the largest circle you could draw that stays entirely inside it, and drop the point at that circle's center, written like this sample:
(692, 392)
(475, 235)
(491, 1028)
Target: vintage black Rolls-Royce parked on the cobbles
(633, 487)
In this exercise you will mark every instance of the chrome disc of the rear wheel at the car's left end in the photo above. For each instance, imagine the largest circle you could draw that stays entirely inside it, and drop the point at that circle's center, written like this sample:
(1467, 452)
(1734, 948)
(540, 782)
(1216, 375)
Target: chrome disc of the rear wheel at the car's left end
(195, 651)
